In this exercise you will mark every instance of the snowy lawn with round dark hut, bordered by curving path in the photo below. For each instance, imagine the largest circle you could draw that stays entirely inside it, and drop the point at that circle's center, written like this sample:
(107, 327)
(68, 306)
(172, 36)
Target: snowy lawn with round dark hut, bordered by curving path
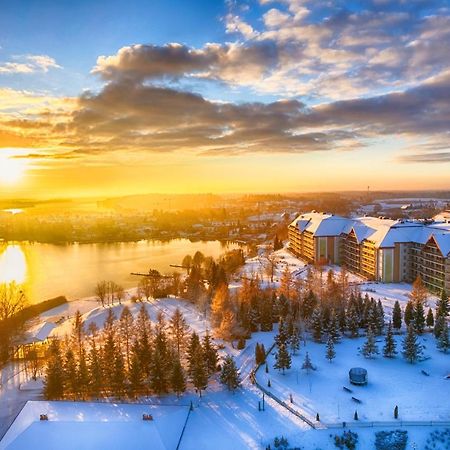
(391, 382)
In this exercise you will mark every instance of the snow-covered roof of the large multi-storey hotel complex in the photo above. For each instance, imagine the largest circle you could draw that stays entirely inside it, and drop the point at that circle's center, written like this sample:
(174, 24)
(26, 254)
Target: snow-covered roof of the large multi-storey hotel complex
(383, 232)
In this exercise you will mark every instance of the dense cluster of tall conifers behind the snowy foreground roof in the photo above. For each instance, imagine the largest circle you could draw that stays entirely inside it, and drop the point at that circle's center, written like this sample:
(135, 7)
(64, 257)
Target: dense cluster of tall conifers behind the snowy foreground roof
(129, 357)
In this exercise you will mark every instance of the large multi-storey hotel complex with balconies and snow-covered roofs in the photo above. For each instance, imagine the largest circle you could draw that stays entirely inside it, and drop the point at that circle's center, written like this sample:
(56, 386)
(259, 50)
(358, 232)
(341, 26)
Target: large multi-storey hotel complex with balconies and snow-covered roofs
(375, 247)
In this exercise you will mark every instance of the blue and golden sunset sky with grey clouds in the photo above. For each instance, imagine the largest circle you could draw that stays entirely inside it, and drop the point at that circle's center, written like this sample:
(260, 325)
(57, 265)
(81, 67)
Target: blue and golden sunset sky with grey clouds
(125, 97)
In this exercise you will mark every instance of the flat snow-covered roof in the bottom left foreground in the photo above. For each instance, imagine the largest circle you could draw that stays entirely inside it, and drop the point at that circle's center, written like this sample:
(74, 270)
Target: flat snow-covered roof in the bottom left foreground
(75, 425)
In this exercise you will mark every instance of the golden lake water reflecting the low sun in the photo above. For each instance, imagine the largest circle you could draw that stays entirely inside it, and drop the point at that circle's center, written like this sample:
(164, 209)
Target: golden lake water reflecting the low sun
(73, 270)
